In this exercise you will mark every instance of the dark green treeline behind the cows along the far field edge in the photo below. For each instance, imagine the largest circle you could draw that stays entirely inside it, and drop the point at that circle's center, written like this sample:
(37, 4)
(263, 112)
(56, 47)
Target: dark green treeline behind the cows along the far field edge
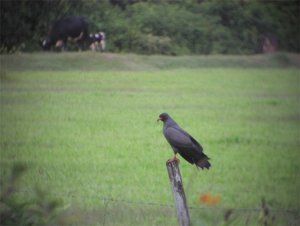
(162, 27)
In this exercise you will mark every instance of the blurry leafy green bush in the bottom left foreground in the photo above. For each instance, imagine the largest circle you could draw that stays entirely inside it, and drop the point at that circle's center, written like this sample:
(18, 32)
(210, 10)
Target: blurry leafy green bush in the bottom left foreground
(37, 210)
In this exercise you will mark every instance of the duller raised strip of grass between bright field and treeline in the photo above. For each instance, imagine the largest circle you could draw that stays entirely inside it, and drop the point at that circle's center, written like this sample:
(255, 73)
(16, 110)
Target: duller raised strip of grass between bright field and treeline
(91, 61)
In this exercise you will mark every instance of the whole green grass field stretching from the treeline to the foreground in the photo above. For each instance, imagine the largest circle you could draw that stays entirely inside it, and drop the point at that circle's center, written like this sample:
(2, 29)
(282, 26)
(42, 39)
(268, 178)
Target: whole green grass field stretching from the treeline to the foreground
(90, 137)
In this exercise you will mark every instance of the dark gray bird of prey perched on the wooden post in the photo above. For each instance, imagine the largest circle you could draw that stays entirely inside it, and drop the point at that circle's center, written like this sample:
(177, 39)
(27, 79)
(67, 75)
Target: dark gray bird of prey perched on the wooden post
(183, 143)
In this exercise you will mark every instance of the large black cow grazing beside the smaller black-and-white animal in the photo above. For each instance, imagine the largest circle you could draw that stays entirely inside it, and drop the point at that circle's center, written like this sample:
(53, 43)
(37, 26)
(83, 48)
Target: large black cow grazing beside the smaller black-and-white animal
(67, 29)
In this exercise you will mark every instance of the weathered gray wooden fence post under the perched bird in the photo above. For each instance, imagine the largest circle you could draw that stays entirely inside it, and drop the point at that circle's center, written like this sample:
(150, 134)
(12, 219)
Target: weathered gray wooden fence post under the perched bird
(178, 193)
